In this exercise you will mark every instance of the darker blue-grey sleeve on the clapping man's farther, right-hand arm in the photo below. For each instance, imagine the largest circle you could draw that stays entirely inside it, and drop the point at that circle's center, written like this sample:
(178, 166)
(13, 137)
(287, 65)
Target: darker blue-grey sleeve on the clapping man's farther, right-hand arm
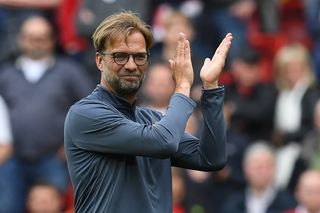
(210, 151)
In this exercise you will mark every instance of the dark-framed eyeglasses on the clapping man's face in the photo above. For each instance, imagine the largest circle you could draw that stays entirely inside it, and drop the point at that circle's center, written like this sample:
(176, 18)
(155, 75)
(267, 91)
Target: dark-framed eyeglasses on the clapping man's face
(121, 58)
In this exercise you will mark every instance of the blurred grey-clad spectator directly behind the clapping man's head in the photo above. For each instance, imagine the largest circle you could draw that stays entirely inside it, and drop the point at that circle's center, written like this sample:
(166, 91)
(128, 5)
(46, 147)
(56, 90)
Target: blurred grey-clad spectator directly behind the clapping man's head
(91, 12)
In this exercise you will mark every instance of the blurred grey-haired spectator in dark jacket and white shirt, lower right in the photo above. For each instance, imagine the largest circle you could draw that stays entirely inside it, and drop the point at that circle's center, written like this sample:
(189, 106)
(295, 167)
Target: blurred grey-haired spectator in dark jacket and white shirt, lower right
(260, 195)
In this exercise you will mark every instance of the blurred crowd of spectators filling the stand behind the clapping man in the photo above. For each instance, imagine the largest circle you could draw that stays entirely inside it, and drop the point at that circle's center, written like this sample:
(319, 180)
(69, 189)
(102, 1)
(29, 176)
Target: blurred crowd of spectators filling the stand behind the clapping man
(272, 98)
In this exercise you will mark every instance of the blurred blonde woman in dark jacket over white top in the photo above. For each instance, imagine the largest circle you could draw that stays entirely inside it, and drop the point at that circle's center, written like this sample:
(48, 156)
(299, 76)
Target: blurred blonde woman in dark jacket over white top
(293, 118)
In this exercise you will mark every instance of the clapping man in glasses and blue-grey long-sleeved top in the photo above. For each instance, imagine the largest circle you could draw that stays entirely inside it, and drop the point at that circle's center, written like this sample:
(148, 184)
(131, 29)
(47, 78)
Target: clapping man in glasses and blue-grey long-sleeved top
(120, 155)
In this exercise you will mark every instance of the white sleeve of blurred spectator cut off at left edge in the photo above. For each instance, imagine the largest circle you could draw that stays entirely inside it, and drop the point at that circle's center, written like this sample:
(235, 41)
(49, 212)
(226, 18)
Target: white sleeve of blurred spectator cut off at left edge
(5, 130)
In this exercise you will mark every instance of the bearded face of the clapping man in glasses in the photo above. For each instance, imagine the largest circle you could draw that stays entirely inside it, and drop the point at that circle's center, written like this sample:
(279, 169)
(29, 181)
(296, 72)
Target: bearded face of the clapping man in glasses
(123, 80)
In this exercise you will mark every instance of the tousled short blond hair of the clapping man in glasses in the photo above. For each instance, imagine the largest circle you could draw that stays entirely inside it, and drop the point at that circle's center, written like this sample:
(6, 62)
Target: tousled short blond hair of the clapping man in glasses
(124, 23)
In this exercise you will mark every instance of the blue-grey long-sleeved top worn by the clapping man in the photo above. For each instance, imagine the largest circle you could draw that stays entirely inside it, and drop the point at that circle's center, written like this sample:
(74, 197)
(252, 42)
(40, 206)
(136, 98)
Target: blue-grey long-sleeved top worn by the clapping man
(120, 156)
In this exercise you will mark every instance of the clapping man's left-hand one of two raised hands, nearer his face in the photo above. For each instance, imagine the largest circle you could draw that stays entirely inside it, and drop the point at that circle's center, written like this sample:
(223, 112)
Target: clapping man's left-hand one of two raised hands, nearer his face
(181, 67)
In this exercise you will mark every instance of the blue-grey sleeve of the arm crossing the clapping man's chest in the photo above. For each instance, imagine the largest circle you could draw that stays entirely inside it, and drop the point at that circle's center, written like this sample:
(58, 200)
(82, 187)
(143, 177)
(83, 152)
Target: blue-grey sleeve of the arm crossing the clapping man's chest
(104, 129)
